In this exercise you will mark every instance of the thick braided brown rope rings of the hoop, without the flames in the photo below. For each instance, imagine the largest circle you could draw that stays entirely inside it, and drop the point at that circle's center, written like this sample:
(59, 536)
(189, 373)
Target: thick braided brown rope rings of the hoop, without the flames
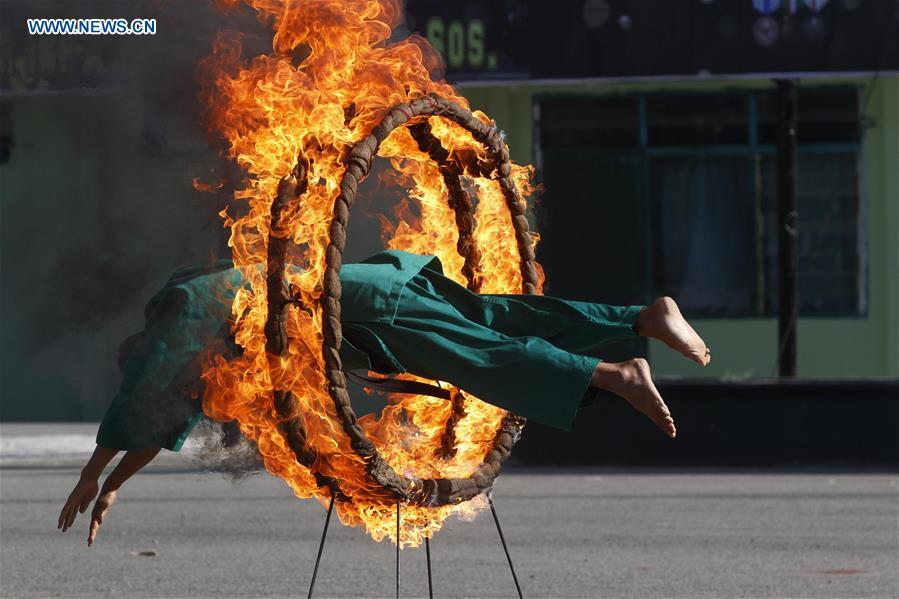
(440, 491)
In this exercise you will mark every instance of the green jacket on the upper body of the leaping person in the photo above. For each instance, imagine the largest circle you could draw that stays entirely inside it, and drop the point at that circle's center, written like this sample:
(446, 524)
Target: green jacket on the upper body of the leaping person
(158, 403)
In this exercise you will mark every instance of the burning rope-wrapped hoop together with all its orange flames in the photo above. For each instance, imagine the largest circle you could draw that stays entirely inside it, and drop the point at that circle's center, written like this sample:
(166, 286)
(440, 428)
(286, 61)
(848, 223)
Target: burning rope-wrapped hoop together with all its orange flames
(323, 122)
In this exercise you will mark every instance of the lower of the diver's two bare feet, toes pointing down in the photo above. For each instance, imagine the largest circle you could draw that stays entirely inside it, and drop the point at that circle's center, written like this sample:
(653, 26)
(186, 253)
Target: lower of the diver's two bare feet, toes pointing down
(632, 380)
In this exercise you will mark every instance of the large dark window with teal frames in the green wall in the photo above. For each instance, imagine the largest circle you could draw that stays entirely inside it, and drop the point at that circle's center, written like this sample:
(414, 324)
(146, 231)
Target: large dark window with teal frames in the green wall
(676, 194)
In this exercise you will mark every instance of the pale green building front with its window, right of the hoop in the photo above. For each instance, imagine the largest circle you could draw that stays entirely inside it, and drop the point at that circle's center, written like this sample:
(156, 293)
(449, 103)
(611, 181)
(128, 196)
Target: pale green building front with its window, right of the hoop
(668, 187)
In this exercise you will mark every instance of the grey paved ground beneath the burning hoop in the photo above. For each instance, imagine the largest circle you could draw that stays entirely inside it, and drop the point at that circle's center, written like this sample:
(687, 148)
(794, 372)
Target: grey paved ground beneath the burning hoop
(571, 534)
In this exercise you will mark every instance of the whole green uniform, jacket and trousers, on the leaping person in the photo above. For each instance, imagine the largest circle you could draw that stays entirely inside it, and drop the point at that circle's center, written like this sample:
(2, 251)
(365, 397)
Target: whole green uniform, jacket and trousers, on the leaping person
(531, 355)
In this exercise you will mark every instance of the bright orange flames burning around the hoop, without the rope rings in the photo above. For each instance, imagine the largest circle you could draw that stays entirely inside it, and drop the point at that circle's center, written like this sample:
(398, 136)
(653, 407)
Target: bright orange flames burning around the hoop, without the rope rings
(330, 78)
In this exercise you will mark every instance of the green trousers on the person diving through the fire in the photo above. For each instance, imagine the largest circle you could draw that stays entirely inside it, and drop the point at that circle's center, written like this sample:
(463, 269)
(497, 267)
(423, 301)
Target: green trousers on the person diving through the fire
(531, 355)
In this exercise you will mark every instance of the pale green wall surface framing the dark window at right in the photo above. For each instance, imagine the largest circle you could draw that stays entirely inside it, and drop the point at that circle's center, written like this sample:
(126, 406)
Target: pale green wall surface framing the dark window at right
(827, 347)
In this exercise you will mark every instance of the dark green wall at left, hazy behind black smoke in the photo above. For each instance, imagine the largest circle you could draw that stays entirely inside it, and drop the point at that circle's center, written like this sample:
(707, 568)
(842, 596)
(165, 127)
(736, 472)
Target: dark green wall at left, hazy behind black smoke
(94, 216)
